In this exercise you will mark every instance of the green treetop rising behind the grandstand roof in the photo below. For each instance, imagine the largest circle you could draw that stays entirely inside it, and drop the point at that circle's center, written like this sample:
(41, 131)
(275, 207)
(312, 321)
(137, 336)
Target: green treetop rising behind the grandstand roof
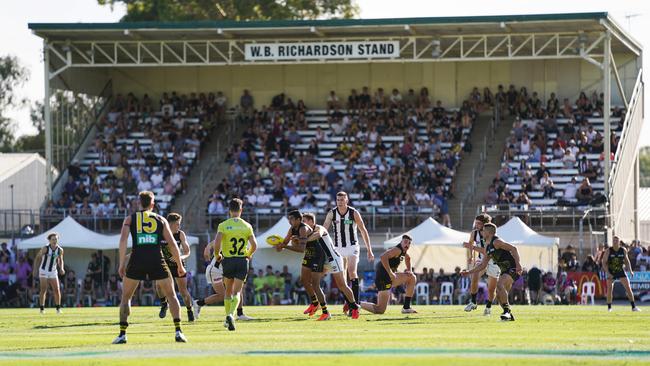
(185, 10)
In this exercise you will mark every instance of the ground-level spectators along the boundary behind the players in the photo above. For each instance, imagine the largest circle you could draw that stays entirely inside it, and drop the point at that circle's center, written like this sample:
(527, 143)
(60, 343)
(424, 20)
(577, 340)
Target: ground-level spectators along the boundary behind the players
(100, 284)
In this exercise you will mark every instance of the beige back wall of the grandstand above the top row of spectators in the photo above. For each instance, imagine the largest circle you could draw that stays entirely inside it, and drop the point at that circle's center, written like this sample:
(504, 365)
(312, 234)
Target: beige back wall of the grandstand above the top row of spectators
(448, 81)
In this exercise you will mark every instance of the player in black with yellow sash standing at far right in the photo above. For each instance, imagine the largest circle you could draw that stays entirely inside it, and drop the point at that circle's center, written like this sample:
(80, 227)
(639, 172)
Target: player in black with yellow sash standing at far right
(614, 260)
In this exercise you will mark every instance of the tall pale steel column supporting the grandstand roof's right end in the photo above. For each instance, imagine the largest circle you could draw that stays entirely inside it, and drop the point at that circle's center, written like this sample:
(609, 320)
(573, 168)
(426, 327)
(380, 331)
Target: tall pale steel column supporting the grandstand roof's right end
(607, 96)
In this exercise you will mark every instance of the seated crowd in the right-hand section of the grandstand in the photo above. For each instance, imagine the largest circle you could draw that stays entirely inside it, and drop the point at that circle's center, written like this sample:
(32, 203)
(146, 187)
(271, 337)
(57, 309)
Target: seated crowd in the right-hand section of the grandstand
(554, 154)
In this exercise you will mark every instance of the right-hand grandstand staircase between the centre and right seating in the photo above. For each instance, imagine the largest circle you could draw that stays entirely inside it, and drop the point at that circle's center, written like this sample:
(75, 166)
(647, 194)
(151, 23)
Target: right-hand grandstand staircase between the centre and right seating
(482, 172)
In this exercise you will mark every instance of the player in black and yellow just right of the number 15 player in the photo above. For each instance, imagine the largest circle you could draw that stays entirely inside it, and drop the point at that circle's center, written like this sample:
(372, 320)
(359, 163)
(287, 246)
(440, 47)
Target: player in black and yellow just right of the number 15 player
(180, 240)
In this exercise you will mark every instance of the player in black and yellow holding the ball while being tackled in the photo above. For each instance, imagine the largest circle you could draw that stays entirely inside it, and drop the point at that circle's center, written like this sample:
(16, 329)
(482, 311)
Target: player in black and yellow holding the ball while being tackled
(312, 263)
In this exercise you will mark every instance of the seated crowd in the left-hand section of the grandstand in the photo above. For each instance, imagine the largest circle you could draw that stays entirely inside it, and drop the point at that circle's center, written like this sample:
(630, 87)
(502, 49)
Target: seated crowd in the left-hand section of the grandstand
(138, 146)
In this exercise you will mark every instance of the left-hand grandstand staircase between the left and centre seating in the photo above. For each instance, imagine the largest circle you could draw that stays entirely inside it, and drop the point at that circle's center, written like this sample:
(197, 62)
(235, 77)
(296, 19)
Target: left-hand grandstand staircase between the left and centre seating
(204, 177)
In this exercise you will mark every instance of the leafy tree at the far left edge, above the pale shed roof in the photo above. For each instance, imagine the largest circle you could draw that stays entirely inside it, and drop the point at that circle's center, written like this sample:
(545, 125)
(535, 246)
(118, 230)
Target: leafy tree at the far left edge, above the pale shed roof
(12, 76)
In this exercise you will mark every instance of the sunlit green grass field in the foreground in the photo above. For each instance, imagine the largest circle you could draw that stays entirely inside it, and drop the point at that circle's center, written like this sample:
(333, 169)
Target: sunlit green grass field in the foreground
(555, 335)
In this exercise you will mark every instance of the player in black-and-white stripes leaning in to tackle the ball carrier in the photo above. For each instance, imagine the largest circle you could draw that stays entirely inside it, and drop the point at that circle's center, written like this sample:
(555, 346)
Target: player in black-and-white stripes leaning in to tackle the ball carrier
(333, 262)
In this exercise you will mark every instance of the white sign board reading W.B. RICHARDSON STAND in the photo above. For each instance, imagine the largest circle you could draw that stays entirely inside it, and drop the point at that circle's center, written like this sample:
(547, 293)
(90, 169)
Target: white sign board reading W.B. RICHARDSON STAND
(321, 50)
